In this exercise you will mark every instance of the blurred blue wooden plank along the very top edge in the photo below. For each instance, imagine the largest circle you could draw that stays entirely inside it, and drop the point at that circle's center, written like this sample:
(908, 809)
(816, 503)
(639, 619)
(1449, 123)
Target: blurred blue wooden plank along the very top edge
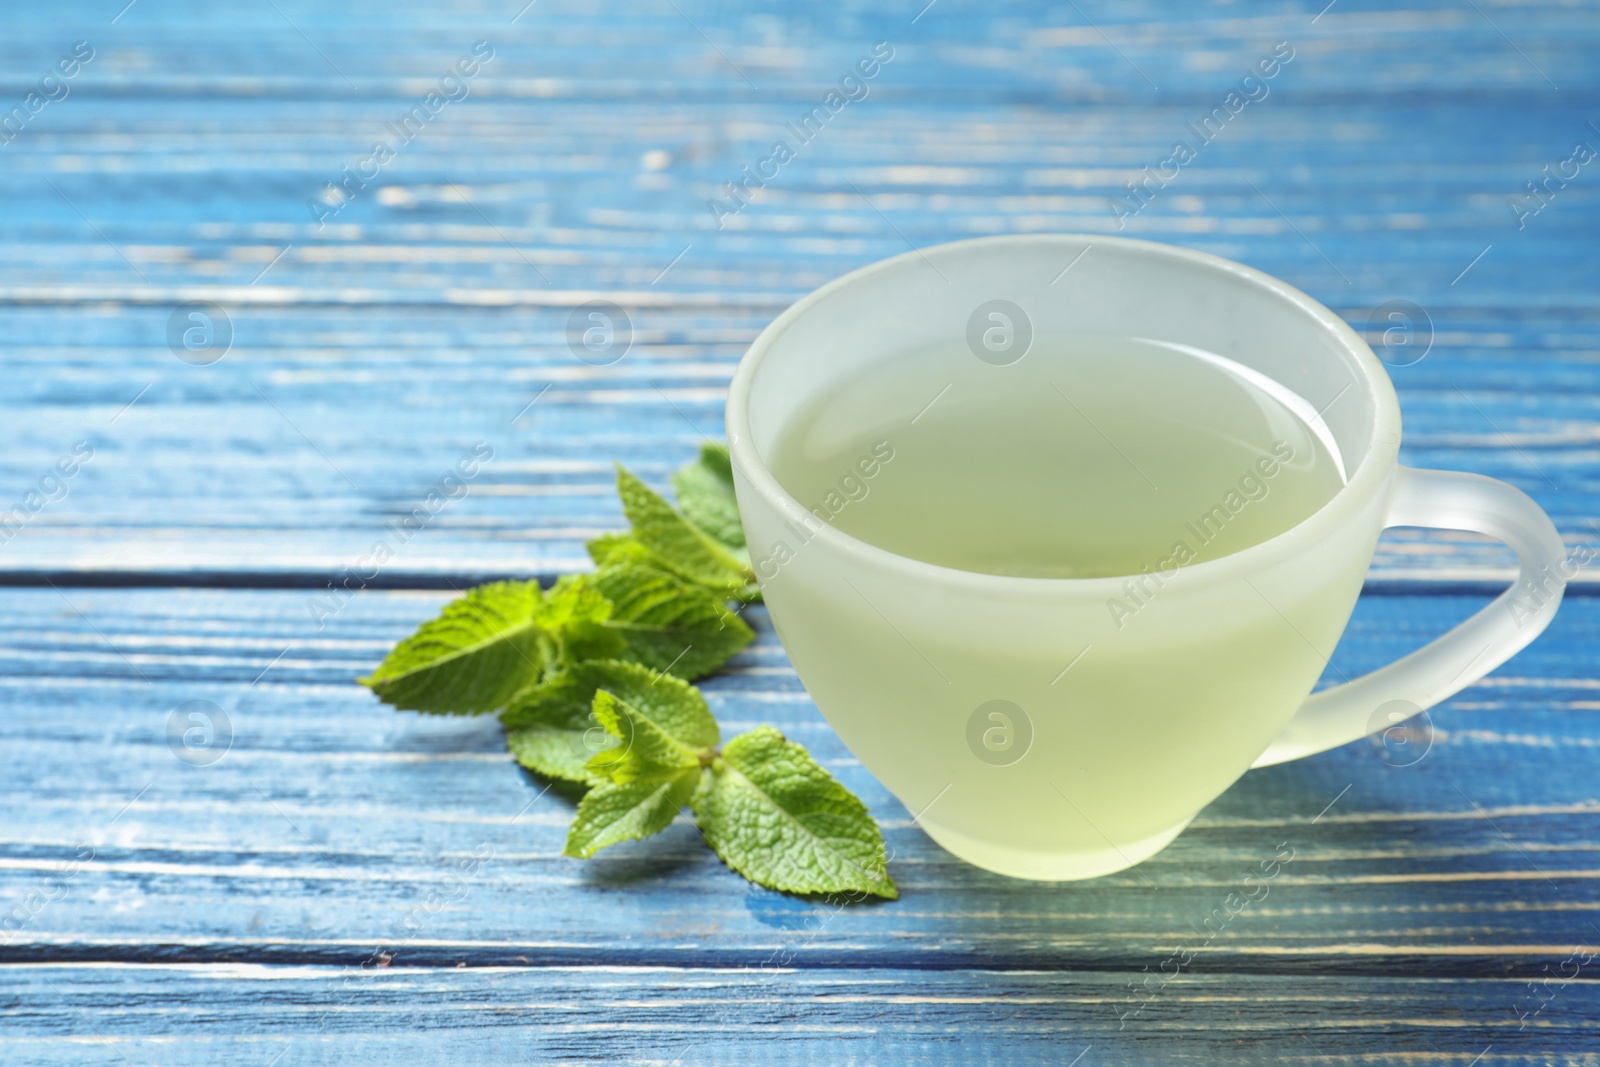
(566, 49)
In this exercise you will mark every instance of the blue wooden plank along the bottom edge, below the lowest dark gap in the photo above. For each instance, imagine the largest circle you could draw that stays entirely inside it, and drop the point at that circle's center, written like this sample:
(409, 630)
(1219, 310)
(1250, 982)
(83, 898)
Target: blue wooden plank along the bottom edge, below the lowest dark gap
(292, 1017)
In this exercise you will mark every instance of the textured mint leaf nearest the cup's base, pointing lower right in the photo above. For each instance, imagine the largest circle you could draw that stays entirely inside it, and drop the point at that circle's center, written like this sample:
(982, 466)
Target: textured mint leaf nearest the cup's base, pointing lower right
(785, 823)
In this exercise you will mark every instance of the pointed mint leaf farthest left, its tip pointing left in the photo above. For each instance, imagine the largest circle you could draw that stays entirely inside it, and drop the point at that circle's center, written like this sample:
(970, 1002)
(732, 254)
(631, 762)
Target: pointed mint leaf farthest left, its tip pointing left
(474, 658)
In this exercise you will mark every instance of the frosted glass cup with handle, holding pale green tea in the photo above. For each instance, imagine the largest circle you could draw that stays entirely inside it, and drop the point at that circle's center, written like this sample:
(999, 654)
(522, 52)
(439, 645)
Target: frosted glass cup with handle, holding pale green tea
(1023, 730)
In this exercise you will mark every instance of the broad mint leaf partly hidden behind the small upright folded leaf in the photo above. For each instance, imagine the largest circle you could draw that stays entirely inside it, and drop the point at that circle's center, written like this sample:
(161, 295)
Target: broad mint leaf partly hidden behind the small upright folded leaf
(553, 729)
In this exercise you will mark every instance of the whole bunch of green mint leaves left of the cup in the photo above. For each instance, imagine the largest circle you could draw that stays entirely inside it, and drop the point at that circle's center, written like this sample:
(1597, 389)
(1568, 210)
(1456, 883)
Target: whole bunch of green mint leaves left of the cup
(593, 684)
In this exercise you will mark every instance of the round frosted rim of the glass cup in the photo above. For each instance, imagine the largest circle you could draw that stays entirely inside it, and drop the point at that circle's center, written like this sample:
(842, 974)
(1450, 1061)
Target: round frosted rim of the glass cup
(1370, 476)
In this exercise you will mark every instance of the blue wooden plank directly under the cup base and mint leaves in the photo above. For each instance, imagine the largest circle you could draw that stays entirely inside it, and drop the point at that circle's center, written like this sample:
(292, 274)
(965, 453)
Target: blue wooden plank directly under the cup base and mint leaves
(334, 825)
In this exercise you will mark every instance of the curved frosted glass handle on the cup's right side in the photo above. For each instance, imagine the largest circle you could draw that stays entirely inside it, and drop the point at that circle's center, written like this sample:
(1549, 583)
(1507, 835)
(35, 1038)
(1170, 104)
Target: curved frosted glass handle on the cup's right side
(1444, 500)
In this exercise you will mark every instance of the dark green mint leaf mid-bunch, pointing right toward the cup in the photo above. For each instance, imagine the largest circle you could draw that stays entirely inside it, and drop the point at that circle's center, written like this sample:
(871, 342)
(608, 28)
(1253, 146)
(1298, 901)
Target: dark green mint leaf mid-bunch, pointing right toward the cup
(670, 625)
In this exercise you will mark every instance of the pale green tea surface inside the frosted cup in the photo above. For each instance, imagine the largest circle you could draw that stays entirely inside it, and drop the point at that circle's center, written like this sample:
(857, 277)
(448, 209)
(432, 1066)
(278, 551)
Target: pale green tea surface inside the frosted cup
(1087, 458)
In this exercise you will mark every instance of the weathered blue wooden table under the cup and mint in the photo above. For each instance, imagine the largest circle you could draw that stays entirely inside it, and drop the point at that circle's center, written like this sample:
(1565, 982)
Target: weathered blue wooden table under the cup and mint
(345, 884)
